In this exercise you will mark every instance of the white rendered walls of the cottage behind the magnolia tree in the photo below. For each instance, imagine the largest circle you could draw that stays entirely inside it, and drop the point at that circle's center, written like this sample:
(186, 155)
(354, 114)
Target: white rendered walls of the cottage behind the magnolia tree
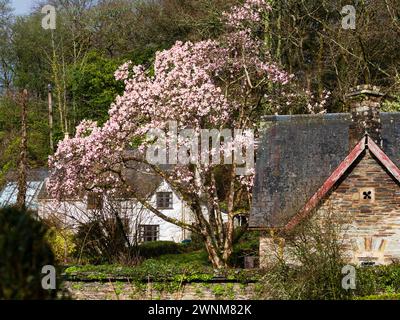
(142, 222)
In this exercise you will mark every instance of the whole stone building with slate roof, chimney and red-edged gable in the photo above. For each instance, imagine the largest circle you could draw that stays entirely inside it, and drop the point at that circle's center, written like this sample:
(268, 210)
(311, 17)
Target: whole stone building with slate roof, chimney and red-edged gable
(345, 163)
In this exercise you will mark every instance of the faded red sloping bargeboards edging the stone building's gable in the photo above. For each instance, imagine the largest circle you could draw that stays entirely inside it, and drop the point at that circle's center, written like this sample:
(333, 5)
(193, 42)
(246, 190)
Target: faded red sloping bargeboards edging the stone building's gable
(365, 143)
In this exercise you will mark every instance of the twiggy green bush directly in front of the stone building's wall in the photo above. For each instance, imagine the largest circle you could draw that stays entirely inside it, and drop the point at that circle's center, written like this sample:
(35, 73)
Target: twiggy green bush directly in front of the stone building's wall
(311, 268)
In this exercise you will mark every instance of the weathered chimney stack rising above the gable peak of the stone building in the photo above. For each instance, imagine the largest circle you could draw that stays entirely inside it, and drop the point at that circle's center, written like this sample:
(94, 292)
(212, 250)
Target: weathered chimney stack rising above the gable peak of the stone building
(365, 102)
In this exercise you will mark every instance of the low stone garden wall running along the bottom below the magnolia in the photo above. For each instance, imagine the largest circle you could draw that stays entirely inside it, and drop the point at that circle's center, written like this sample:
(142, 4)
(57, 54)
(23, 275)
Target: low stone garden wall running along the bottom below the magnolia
(156, 291)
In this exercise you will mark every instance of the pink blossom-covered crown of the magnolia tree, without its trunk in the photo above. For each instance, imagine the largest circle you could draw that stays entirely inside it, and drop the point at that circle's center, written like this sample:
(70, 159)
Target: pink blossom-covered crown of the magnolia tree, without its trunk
(207, 84)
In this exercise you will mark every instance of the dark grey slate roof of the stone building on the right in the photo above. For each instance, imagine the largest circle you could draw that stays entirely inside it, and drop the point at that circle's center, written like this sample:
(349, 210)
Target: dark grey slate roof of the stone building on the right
(297, 154)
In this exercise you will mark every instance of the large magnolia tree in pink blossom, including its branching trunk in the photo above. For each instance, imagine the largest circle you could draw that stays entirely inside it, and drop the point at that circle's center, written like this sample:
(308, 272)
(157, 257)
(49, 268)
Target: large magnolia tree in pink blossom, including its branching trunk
(211, 85)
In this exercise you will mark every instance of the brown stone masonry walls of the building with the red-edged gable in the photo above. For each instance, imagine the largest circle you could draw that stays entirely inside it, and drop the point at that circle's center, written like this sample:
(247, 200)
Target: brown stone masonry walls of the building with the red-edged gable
(366, 203)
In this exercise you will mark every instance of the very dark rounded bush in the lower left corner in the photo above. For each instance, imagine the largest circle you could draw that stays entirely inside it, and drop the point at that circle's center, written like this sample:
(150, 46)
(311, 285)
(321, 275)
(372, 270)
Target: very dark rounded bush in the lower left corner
(24, 251)
